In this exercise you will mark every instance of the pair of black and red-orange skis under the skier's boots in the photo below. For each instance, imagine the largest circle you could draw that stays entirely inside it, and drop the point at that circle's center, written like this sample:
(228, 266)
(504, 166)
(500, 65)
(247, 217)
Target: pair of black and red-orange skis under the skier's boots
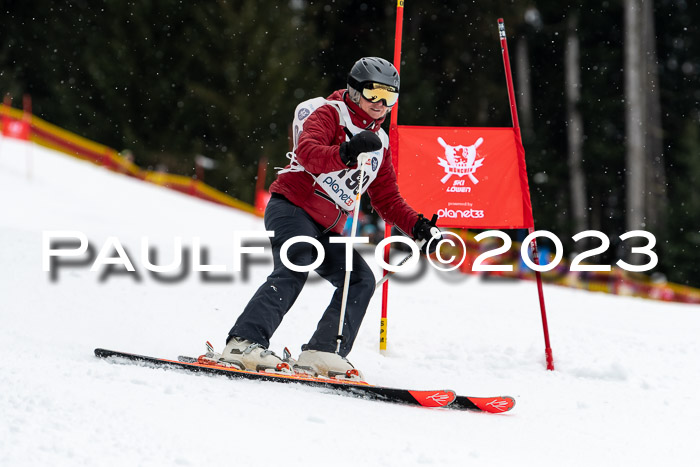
(433, 399)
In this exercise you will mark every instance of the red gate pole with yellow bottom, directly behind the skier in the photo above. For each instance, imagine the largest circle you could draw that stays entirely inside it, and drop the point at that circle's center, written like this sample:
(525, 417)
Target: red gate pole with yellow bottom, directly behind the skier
(394, 144)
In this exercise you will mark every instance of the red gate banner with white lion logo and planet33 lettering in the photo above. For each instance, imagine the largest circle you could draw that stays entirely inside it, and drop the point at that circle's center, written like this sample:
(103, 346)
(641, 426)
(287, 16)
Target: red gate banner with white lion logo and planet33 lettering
(470, 177)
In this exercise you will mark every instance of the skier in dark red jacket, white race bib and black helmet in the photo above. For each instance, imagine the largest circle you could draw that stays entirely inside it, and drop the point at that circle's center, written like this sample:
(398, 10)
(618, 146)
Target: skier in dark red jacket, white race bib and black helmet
(310, 198)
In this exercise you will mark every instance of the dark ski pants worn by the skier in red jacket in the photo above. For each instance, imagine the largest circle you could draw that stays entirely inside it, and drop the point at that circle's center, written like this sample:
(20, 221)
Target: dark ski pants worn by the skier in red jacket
(264, 312)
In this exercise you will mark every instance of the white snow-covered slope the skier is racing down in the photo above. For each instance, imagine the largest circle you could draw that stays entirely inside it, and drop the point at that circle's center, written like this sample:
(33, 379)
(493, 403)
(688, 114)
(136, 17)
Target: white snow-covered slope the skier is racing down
(622, 393)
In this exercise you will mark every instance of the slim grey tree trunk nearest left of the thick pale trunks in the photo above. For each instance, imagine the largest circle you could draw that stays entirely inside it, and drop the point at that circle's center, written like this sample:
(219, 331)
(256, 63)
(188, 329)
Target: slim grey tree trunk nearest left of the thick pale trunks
(574, 128)
